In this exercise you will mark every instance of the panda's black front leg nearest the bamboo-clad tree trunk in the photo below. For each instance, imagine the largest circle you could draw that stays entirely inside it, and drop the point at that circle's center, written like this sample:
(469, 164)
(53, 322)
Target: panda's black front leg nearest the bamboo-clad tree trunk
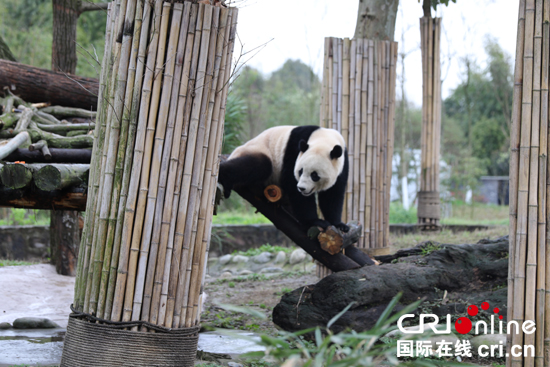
(331, 201)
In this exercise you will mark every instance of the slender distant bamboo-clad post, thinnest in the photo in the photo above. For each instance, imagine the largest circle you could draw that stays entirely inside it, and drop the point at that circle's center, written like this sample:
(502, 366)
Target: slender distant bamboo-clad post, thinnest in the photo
(428, 197)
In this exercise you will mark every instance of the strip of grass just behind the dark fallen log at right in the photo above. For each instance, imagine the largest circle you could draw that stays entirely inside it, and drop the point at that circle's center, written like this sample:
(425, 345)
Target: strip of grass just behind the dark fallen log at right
(398, 242)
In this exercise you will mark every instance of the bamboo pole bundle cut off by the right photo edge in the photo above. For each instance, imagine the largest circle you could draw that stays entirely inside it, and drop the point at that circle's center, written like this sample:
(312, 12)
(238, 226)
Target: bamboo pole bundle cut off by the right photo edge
(528, 270)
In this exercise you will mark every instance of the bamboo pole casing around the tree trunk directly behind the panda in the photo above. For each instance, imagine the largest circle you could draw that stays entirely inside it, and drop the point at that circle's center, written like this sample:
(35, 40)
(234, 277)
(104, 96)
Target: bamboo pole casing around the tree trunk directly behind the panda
(358, 99)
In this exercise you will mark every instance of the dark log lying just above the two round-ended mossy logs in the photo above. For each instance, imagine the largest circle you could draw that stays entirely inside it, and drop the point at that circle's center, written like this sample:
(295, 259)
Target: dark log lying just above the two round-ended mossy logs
(57, 155)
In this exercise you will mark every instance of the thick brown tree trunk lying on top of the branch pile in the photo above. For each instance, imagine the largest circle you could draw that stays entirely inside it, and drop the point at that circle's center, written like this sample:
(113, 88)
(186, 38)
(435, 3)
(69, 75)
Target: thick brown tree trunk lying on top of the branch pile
(41, 85)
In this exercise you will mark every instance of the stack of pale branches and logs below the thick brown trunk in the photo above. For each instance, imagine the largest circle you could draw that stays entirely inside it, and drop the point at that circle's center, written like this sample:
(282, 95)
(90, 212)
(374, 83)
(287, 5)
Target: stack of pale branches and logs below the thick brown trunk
(52, 146)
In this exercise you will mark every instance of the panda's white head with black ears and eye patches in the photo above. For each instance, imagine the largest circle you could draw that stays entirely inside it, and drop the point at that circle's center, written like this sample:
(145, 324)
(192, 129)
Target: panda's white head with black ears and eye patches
(320, 162)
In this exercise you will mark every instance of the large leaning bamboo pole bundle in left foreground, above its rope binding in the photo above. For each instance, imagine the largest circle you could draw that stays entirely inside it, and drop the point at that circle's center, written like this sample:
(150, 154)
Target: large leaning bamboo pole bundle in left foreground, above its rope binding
(163, 89)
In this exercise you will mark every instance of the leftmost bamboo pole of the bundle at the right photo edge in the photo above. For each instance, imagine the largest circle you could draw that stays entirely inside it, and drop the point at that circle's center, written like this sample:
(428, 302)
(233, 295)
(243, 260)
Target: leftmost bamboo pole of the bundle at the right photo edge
(514, 164)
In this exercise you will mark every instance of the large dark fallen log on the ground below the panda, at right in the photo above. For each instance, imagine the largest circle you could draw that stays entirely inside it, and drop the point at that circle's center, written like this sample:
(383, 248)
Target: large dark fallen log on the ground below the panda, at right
(469, 273)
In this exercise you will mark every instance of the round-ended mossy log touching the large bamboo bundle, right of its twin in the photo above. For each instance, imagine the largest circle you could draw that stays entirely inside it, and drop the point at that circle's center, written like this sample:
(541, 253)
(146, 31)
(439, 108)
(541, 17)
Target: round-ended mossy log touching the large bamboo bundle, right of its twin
(59, 176)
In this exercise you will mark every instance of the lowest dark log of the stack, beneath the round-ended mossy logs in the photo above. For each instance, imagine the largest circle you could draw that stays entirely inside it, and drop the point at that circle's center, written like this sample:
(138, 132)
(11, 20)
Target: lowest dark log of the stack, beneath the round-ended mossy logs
(73, 198)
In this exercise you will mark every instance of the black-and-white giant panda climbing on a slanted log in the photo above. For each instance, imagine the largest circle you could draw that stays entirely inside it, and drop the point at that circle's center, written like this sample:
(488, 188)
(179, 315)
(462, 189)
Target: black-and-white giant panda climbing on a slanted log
(303, 161)
